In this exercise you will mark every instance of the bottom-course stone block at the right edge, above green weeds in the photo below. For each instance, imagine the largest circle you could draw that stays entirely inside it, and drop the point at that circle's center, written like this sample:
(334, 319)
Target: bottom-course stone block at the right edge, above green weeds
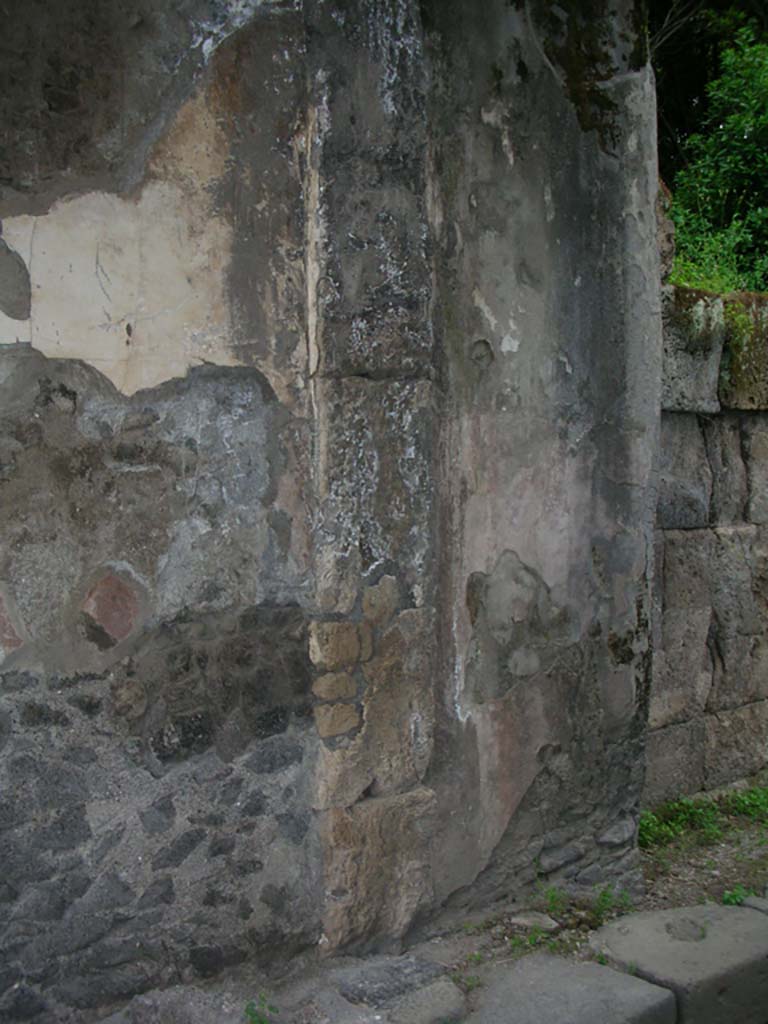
(737, 744)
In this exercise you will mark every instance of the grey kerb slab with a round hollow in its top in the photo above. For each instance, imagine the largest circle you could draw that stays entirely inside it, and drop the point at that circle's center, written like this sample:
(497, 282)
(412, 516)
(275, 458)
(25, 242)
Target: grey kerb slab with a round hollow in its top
(715, 959)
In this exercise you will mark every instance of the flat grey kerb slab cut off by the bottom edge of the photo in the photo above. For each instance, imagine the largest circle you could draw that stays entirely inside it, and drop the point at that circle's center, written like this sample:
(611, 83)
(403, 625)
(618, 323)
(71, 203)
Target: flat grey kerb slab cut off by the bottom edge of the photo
(543, 990)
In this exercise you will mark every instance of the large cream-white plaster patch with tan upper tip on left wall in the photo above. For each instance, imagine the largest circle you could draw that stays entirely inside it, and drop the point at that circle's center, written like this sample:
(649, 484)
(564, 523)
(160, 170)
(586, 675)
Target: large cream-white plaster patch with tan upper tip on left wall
(135, 286)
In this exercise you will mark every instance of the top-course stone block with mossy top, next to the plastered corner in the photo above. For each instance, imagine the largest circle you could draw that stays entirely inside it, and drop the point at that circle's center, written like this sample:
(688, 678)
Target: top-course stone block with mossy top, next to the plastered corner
(694, 337)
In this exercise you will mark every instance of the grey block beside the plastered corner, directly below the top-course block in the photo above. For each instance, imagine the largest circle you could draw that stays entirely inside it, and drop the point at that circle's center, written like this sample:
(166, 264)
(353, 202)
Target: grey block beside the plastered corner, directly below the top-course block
(686, 477)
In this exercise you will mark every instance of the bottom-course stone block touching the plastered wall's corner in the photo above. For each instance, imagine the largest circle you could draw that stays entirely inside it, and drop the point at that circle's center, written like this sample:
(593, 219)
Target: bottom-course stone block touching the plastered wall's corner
(675, 762)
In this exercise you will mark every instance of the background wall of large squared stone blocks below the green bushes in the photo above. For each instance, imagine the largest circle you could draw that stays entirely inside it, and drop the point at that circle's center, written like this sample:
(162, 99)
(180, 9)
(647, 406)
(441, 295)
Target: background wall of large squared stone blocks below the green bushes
(709, 708)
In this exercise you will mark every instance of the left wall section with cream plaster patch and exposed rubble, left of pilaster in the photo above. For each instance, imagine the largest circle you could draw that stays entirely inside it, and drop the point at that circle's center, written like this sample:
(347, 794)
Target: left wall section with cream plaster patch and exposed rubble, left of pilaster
(156, 567)
